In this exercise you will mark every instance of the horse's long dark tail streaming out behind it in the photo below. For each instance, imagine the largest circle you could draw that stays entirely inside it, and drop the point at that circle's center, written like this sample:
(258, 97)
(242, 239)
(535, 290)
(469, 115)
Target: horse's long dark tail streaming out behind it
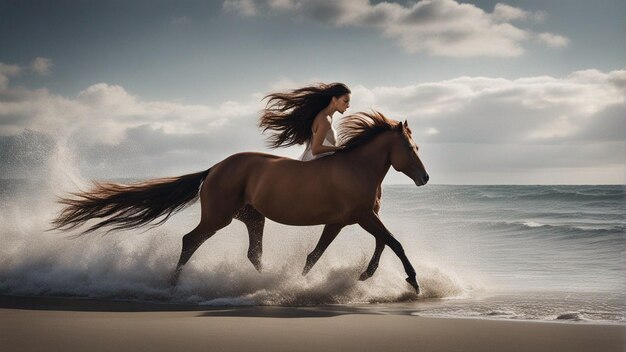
(129, 206)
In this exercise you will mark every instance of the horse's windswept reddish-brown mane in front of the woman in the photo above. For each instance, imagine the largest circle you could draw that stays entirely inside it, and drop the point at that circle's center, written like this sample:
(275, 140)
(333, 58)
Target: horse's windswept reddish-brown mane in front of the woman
(361, 127)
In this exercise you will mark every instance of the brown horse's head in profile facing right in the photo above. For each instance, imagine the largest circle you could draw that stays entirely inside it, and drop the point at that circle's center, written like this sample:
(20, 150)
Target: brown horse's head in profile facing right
(404, 156)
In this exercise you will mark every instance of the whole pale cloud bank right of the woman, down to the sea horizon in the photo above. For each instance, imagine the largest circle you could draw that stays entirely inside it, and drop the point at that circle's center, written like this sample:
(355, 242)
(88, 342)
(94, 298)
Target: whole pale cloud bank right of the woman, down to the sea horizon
(528, 130)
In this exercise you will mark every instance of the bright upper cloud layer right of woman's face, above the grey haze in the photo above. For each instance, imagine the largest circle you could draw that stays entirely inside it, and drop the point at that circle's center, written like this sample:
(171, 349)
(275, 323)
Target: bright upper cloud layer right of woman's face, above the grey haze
(530, 110)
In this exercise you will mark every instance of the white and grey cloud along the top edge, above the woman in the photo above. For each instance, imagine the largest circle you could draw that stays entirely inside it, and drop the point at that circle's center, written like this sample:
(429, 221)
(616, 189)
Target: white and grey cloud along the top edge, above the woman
(437, 27)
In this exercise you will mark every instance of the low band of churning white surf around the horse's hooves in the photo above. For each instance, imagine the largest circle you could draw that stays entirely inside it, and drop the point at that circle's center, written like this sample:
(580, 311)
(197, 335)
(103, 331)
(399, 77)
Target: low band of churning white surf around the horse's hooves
(128, 265)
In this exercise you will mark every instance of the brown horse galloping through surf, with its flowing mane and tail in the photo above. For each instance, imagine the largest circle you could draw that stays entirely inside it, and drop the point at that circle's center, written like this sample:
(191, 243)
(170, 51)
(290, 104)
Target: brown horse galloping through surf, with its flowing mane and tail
(336, 190)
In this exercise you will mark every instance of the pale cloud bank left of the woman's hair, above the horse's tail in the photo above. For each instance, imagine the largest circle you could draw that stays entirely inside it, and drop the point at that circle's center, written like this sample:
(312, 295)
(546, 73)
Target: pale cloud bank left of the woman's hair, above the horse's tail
(111, 132)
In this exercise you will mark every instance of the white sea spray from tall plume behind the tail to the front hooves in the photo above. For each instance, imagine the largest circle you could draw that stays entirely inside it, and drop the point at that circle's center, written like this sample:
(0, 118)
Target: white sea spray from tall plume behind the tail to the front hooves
(135, 264)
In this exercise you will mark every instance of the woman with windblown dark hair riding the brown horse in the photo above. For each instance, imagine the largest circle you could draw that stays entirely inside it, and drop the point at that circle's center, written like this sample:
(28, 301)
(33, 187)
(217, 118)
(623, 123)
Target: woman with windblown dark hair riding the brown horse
(305, 116)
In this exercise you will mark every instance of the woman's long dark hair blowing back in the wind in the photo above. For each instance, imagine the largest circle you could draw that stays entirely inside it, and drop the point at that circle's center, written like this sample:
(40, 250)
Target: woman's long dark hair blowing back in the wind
(289, 116)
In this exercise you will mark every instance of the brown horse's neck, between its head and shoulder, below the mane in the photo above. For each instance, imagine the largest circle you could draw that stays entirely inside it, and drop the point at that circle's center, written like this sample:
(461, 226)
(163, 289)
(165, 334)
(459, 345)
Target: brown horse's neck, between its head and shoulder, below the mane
(373, 157)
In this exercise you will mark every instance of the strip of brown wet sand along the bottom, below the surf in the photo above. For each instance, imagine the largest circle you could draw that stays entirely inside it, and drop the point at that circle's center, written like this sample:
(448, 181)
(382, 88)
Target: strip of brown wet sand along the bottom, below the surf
(53, 324)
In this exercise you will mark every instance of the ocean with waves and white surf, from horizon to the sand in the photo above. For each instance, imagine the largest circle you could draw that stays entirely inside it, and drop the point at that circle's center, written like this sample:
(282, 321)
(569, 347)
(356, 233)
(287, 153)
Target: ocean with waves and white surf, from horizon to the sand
(548, 253)
